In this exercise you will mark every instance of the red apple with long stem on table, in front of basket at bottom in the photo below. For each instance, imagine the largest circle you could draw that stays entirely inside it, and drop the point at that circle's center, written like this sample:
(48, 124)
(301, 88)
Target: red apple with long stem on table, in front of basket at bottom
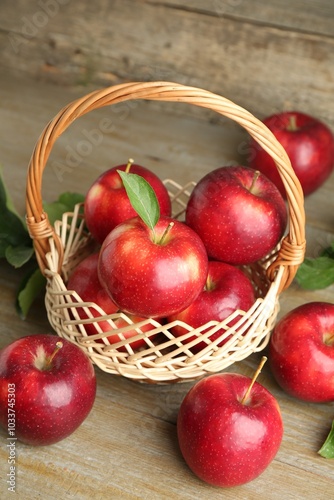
(227, 440)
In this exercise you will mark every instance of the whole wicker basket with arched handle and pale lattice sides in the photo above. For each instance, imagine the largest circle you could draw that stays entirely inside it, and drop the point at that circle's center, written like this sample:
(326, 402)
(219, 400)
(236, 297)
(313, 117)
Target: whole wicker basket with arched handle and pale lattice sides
(165, 359)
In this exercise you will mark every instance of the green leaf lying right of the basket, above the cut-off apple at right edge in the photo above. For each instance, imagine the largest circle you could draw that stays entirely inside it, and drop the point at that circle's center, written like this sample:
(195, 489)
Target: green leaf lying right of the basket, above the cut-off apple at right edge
(314, 274)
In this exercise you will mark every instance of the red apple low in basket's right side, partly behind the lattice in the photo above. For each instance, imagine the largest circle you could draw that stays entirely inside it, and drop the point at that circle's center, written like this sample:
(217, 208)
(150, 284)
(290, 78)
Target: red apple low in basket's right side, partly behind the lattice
(226, 290)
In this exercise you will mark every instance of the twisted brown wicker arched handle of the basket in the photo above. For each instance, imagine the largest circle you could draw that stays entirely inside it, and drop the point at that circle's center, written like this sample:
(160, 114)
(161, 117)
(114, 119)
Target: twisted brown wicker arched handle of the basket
(292, 250)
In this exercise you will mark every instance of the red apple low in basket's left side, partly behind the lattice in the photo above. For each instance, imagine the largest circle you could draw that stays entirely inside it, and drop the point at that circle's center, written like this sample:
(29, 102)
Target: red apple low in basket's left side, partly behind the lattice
(85, 282)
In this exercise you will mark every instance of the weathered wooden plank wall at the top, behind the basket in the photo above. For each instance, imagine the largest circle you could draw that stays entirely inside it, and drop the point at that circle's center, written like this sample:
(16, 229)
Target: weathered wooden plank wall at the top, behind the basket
(261, 54)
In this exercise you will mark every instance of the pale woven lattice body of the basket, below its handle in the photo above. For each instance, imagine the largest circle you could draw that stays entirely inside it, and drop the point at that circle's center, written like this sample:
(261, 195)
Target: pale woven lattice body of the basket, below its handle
(249, 334)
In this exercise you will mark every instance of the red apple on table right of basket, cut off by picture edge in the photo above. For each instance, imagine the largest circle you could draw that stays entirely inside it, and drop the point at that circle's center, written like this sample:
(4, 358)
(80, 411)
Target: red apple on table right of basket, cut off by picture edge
(301, 352)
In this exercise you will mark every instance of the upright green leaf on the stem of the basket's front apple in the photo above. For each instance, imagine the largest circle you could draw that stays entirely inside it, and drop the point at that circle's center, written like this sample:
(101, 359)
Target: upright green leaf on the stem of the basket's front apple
(142, 198)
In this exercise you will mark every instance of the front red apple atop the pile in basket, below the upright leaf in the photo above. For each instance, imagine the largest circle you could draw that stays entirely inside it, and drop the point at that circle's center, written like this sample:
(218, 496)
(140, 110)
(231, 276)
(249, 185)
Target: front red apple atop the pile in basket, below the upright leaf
(153, 273)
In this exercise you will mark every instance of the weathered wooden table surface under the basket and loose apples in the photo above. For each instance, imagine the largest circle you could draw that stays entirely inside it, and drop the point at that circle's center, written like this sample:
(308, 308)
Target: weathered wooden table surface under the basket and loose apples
(127, 447)
